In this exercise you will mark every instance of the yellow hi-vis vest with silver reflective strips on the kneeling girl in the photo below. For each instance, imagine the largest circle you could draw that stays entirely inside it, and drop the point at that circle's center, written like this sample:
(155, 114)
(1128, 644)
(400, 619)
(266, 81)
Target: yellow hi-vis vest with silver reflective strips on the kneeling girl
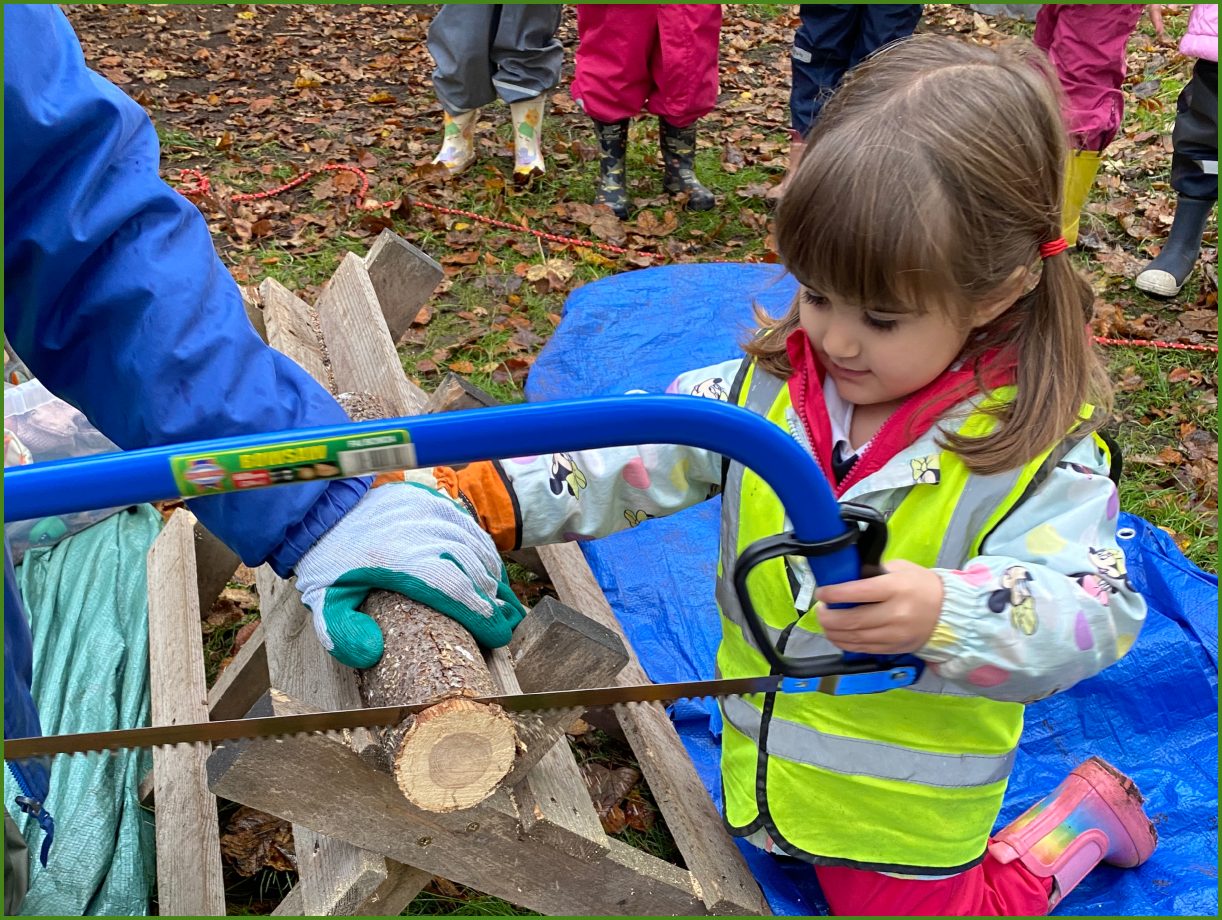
(906, 781)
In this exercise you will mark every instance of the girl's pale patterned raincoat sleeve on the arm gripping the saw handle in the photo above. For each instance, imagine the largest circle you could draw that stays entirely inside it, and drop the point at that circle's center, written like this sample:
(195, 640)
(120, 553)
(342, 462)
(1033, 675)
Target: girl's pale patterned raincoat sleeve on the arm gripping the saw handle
(1048, 603)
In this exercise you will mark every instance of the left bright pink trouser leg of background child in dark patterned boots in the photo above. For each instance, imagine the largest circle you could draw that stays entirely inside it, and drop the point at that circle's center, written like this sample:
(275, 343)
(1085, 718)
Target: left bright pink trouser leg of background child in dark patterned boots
(612, 79)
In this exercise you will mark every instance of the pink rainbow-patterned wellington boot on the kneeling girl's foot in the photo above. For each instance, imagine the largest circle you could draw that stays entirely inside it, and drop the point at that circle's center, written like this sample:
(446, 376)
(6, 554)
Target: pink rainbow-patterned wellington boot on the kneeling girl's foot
(1094, 817)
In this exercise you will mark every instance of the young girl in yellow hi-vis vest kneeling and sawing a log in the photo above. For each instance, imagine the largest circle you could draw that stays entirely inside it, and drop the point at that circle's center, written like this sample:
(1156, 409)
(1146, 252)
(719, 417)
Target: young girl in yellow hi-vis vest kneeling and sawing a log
(938, 366)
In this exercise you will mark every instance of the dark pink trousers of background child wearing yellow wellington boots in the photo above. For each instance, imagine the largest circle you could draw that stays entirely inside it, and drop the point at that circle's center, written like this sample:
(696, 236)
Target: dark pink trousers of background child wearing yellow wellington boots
(1087, 46)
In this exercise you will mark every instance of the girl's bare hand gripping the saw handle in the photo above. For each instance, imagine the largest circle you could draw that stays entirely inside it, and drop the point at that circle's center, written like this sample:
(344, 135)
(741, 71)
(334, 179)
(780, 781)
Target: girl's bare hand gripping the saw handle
(896, 613)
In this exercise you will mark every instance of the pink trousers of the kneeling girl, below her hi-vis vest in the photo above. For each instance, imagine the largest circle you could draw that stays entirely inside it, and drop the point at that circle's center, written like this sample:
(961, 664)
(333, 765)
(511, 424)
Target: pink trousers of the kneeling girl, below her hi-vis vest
(989, 890)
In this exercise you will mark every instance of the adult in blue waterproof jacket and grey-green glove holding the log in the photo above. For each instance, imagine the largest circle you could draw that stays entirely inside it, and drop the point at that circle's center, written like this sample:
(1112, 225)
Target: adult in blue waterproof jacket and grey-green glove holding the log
(117, 301)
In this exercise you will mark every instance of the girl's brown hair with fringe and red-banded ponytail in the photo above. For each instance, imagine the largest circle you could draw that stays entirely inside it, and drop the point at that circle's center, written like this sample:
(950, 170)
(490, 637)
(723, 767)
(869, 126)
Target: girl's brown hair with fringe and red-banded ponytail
(931, 177)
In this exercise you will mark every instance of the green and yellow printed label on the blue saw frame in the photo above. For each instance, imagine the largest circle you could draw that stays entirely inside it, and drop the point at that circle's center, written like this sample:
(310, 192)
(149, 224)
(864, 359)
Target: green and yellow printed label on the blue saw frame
(293, 462)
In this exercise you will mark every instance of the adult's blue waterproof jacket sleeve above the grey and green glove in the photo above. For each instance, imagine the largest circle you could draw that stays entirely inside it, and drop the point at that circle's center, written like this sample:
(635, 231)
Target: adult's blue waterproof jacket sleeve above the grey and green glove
(117, 300)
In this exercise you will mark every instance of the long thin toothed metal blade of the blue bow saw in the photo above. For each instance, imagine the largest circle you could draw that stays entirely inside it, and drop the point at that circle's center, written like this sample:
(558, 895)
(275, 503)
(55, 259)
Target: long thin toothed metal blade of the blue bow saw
(377, 718)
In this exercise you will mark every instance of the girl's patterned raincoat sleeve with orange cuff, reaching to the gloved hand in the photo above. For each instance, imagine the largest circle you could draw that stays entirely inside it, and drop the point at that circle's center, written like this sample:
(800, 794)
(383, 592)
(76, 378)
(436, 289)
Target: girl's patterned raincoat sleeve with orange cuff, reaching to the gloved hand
(532, 502)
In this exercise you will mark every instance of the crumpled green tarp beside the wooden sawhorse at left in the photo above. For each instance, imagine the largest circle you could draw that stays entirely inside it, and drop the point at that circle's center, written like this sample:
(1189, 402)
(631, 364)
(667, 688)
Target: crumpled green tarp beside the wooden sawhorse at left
(87, 601)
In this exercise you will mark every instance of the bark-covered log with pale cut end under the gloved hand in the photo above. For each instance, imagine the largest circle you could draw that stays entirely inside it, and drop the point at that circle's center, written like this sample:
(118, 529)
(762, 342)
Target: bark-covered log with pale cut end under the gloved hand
(455, 754)
